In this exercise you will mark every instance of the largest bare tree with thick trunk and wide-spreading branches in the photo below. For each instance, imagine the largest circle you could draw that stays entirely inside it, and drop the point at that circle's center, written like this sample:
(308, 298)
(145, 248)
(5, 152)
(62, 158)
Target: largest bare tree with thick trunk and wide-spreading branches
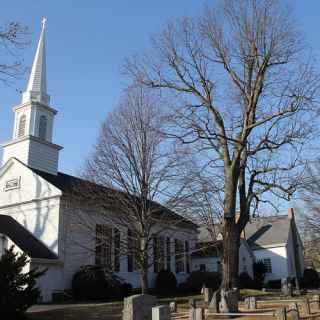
(245, 89)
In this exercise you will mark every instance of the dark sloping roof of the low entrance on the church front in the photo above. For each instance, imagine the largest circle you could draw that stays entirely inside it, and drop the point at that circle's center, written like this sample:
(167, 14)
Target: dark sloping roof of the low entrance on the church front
(24, 239)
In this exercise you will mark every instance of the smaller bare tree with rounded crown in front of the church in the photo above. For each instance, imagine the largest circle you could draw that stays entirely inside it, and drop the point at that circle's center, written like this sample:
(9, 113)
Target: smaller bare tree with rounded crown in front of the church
(138, 168)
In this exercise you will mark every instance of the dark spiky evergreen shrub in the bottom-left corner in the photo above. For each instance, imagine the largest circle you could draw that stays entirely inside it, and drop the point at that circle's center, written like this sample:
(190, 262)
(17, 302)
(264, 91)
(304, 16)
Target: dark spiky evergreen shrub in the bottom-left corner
(18, 290)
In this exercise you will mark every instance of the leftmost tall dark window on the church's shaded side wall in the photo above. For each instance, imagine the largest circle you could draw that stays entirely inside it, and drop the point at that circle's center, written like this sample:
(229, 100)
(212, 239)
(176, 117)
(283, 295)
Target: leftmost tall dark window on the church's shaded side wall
(104, 245)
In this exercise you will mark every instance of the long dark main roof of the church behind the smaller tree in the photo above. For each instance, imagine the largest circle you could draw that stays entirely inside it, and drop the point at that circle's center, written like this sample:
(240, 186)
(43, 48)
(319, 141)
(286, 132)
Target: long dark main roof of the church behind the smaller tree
(68, 183)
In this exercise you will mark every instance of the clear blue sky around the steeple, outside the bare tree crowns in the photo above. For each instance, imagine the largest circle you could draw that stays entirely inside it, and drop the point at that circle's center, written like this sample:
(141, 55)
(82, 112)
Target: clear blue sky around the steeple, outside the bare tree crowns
(87, 42)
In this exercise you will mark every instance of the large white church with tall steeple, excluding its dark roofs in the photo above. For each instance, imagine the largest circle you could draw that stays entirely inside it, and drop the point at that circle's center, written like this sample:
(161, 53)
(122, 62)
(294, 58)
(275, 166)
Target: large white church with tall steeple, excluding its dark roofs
(34, 197)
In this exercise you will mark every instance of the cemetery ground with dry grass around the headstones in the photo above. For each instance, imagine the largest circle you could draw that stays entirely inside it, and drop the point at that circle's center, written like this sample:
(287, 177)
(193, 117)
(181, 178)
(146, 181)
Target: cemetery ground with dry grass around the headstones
(267, 302)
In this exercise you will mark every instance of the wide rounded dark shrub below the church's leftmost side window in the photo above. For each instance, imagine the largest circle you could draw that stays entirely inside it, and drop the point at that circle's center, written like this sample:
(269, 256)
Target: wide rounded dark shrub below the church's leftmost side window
(95, 283)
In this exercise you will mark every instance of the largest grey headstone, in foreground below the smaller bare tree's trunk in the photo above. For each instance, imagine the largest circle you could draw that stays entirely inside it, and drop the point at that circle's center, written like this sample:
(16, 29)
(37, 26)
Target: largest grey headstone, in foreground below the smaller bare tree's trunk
(138, 307)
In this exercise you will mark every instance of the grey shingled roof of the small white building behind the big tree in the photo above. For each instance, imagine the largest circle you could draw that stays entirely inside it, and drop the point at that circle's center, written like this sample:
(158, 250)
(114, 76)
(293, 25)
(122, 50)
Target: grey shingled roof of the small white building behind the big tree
(267, 231)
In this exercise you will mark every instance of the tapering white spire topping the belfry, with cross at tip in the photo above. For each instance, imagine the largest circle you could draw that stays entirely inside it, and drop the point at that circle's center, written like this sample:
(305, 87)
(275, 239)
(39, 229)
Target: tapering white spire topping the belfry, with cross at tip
(37, 84)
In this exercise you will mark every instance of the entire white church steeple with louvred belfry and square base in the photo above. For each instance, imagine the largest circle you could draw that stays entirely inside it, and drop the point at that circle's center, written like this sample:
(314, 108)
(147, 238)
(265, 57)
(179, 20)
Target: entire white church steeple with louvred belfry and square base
(33, 125)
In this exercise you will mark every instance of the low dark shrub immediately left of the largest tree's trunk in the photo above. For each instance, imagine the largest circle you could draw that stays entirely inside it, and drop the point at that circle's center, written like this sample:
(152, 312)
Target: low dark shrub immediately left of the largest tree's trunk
(197, 279)
